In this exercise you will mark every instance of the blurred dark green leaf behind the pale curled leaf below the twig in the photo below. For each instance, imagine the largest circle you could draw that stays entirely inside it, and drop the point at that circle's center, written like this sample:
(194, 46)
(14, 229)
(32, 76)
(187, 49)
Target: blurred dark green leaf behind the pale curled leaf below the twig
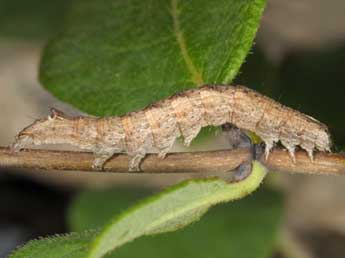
(244, 229)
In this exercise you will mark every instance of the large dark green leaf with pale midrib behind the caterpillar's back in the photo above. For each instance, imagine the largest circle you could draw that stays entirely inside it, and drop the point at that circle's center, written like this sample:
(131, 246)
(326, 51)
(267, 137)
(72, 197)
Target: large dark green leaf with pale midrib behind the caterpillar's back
(118, 56)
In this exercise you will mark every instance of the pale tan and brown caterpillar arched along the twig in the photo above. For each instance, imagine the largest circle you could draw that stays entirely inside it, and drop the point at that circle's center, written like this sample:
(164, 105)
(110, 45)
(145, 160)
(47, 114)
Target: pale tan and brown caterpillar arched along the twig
(183, 114)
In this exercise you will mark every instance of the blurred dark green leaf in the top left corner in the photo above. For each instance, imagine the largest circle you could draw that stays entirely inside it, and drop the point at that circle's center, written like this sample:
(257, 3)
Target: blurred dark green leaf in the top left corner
(31, 19)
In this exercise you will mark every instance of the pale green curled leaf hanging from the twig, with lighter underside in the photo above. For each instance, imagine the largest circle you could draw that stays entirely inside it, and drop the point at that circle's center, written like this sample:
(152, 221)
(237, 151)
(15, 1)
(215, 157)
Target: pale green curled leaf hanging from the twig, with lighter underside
(173, 209)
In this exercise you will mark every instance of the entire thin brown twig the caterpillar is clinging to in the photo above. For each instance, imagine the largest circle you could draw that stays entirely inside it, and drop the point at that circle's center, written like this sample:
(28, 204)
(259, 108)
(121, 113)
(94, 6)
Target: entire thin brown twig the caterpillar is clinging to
(197, 162)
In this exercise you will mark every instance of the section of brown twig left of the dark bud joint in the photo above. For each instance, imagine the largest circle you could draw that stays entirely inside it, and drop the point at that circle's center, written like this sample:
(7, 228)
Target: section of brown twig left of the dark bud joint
(82, 161)
